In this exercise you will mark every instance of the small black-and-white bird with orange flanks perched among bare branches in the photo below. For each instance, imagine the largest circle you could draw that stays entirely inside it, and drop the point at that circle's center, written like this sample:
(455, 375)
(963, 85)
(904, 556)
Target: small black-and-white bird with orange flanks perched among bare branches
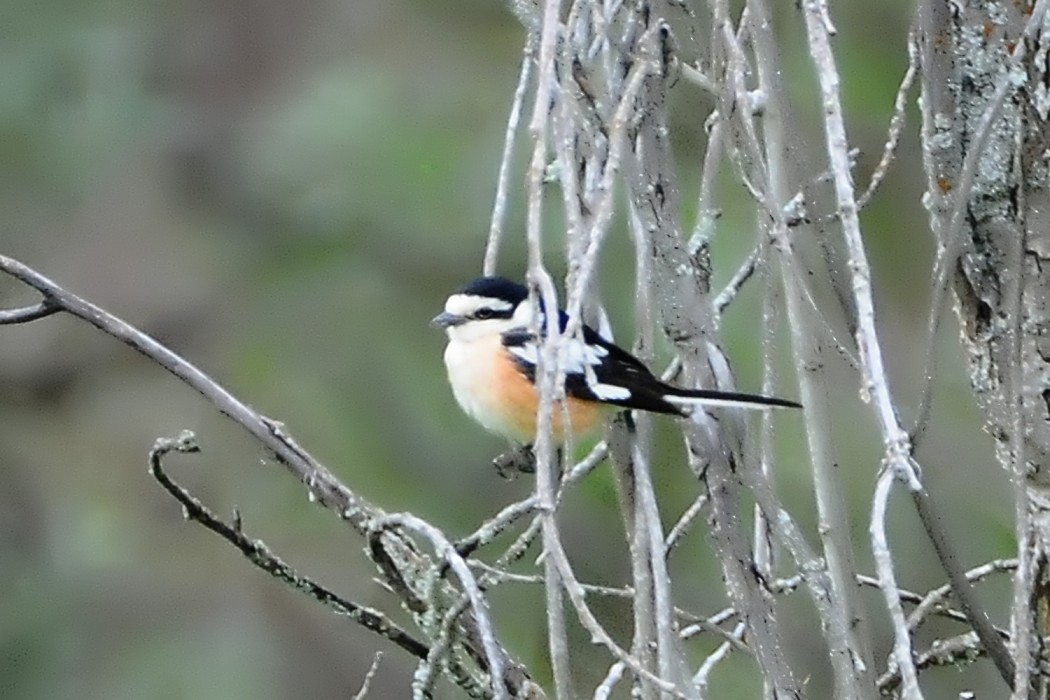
(492, 358)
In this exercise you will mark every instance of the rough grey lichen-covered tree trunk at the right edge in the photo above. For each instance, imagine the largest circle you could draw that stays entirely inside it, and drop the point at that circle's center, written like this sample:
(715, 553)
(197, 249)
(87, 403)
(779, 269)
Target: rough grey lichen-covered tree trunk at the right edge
(984, 93)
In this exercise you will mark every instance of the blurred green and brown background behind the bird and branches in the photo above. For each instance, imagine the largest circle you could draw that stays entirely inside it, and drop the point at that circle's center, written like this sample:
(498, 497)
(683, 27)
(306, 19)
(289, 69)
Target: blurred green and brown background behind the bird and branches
(285, 194)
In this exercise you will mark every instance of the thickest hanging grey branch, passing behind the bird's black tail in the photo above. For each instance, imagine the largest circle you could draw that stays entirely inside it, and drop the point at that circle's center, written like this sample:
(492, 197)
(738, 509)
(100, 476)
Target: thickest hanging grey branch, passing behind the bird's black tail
(680, 290)
